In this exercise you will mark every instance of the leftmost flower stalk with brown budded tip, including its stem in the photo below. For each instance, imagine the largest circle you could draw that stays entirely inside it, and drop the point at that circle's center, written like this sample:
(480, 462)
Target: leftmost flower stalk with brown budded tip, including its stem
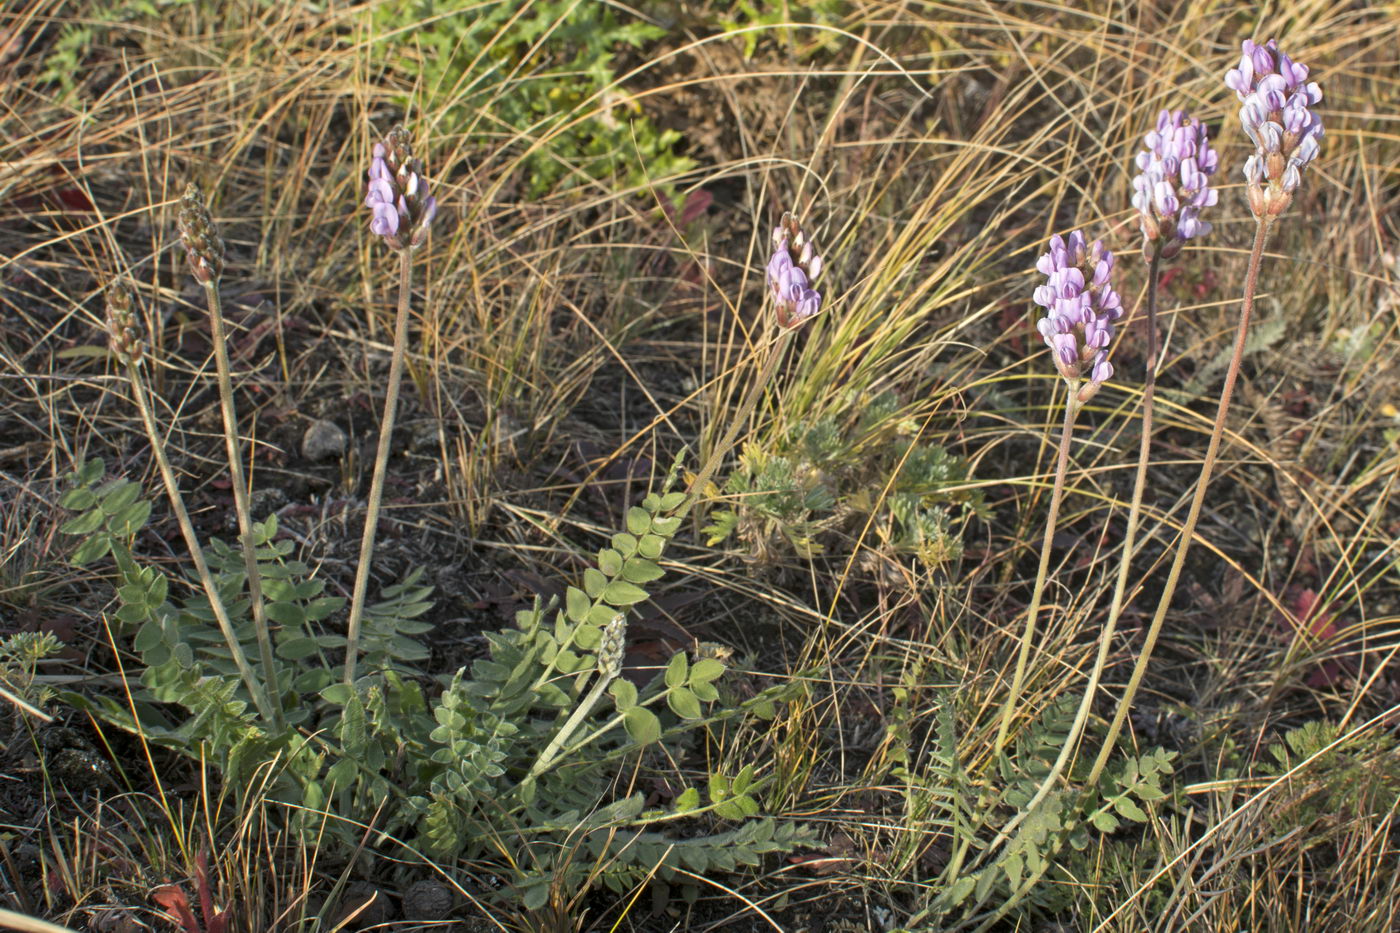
(128, 347)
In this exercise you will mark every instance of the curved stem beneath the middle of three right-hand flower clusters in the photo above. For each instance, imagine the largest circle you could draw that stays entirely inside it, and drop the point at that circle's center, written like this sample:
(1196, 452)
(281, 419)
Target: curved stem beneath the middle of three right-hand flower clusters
(1125, 564)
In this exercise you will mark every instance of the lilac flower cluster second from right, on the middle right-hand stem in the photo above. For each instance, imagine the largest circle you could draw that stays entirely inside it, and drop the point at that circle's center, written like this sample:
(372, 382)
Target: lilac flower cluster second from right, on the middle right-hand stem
(1172, 184)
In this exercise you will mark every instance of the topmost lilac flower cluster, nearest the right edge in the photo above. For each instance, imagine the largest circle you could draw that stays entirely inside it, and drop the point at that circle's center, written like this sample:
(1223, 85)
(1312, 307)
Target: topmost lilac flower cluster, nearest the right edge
(1276, 114)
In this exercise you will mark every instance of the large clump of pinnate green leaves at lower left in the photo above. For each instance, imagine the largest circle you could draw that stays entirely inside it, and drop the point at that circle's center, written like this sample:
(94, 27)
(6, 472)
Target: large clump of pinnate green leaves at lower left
(521, 754)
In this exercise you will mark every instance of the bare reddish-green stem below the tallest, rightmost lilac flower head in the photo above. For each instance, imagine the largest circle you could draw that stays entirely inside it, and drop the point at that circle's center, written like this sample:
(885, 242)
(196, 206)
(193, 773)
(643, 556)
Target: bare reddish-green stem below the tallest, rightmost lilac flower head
(1198, 501)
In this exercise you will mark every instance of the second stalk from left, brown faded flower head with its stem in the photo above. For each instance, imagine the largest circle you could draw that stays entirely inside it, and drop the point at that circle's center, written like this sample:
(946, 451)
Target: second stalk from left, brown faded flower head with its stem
(205, 250)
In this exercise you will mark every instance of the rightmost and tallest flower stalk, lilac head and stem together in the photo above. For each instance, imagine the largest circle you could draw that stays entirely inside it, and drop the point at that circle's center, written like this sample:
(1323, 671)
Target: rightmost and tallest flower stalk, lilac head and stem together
(1277, 118)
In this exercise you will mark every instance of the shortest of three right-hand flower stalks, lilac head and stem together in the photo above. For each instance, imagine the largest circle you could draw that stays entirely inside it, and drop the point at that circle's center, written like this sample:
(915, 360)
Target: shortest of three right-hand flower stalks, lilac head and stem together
(1081, 309)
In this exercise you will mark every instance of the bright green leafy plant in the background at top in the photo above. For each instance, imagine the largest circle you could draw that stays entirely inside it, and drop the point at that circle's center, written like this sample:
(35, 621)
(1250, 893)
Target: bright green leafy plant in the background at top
(541, 79)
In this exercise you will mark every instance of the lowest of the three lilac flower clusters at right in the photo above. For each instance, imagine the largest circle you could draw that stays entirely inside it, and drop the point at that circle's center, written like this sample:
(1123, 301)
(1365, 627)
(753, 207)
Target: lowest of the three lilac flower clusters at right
(1081, 309)
